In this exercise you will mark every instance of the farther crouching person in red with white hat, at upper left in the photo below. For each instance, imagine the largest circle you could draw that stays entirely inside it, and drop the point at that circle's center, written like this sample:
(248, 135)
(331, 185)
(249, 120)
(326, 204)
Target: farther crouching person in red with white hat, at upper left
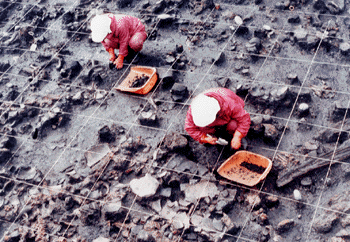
(117, 31)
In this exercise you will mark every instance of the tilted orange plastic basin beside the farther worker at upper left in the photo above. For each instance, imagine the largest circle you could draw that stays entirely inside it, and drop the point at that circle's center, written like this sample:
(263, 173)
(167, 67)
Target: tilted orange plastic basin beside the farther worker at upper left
(138, 71)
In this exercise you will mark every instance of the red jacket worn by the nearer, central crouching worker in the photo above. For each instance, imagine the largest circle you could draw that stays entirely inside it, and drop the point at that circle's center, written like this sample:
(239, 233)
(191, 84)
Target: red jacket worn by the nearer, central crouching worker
(231, 108)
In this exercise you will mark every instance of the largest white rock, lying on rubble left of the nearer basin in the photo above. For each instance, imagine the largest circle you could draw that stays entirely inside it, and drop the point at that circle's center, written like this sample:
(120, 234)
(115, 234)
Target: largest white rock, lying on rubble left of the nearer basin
(145, 186)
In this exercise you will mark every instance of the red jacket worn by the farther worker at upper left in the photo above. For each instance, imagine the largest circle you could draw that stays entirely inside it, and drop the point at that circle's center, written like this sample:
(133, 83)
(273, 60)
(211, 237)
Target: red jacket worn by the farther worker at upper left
(123, 27)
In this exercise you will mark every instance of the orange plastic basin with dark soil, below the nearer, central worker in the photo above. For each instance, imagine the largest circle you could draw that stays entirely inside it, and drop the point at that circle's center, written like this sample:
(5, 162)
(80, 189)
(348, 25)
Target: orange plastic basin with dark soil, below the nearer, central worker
(246, 168)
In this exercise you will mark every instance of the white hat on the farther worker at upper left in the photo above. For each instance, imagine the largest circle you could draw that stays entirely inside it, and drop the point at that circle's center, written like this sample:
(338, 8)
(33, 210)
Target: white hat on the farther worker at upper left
(100, 27)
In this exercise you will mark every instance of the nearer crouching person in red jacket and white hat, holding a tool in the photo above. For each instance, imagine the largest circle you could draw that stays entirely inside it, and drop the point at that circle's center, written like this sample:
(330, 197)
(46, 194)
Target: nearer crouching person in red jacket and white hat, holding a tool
(217, 108)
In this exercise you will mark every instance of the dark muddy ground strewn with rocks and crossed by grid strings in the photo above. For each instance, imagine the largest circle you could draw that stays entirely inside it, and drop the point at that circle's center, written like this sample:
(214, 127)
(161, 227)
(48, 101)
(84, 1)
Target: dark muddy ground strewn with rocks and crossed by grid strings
(73, 148)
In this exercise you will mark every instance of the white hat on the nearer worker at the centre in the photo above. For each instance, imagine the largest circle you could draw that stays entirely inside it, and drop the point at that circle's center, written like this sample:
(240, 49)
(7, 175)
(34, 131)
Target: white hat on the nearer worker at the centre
(204, 110)
